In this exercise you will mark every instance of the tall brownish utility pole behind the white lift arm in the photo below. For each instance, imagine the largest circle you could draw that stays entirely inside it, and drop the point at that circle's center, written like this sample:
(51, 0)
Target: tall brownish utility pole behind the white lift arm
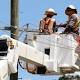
(14, 28)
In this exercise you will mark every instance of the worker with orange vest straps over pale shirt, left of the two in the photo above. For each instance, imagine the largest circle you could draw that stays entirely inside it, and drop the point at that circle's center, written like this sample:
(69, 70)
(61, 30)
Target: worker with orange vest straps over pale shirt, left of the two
(47, 24)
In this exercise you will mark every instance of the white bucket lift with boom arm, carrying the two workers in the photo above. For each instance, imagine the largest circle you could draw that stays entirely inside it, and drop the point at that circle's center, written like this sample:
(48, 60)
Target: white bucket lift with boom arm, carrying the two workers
(43, 54)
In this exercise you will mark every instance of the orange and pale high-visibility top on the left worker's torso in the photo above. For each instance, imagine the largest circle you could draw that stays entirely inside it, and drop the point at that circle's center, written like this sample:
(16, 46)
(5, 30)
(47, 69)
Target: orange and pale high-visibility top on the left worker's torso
(47, 25)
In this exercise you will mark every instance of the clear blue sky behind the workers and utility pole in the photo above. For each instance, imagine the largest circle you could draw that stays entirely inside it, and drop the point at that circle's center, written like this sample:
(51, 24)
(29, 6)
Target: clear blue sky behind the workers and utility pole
(31, 11)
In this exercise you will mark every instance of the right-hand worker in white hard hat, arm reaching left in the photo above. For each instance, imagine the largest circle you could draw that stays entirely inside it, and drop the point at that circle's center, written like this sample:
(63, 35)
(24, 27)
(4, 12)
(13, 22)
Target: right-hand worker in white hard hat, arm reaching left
(73, 19)
